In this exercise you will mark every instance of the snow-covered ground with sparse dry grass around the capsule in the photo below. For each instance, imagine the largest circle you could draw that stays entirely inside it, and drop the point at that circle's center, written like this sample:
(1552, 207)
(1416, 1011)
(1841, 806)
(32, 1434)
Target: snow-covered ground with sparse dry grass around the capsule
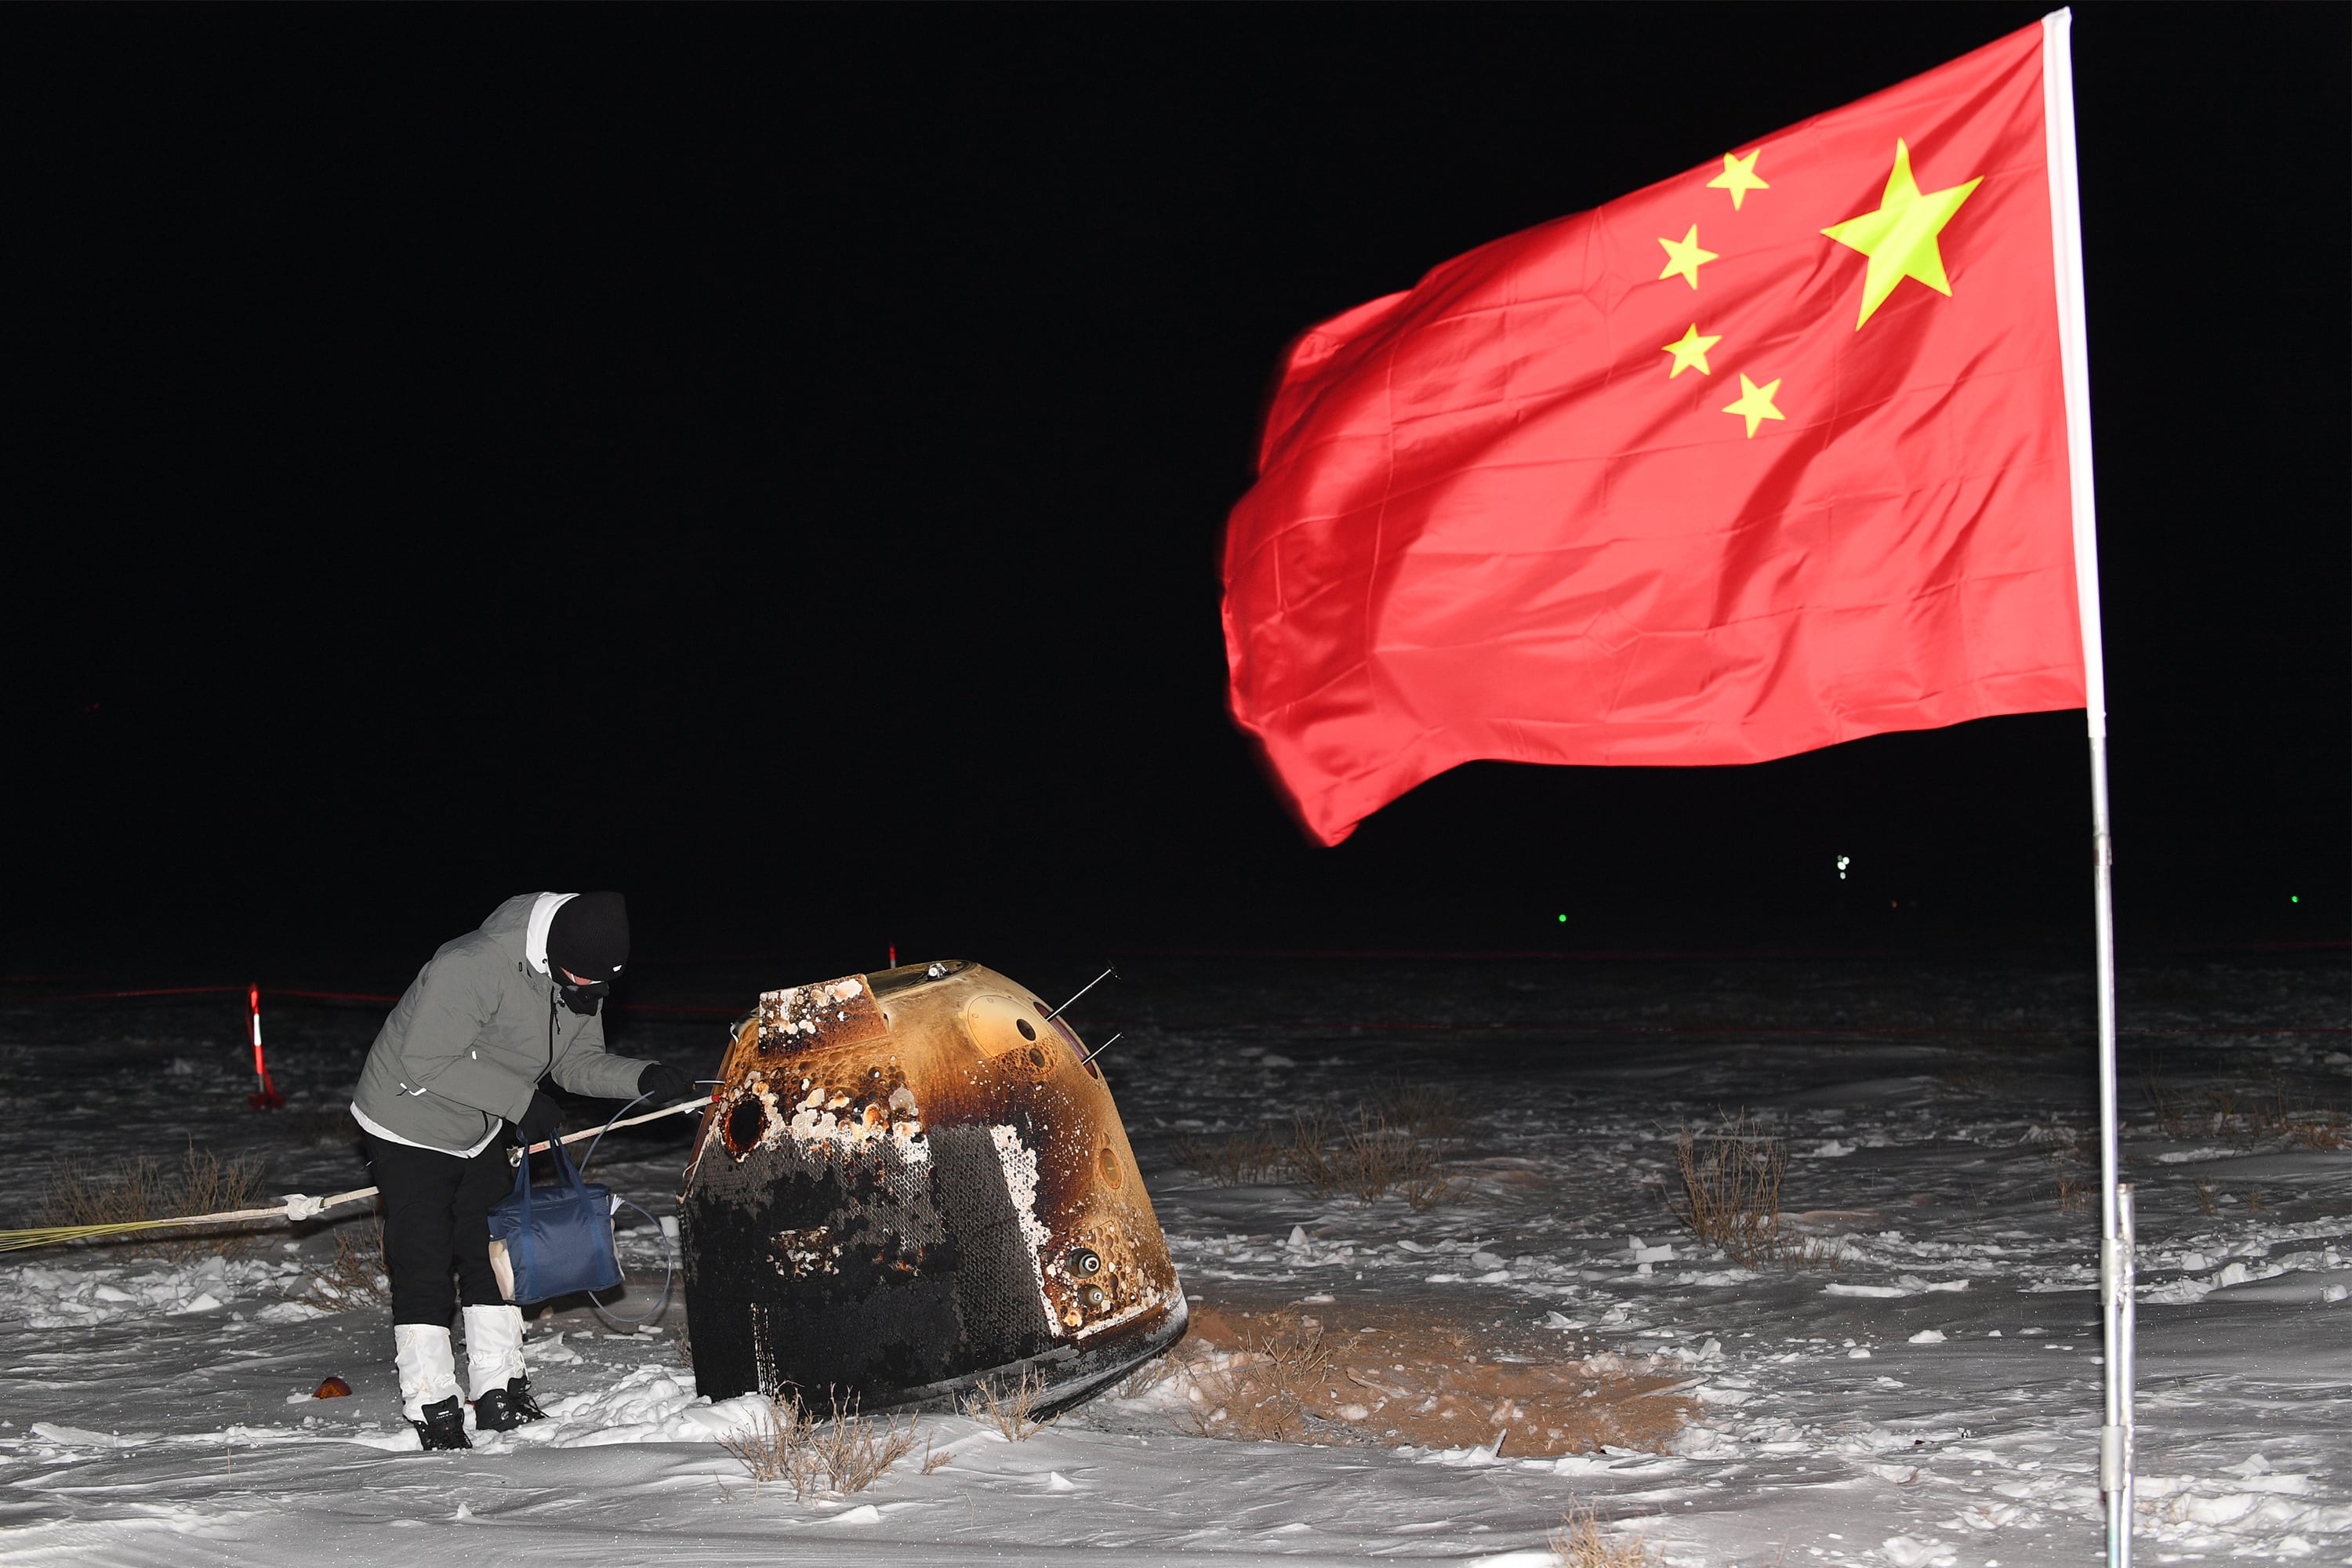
(1932, 1400)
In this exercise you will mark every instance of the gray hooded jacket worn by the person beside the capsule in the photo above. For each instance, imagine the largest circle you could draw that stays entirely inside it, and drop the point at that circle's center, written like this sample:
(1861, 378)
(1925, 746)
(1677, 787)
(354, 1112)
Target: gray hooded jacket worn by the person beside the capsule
(476, 1031)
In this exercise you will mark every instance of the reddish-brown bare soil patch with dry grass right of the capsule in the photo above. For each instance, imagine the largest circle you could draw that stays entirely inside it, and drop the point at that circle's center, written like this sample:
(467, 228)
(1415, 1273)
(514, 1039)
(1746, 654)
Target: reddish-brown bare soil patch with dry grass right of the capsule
(1408, 1376)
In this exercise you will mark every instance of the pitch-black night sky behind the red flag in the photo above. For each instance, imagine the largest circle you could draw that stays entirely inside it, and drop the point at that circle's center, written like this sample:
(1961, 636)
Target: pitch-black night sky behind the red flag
(773, 462)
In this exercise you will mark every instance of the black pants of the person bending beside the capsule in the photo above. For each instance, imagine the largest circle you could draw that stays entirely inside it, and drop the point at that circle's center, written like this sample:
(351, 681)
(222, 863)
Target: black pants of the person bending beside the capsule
(436, 1217)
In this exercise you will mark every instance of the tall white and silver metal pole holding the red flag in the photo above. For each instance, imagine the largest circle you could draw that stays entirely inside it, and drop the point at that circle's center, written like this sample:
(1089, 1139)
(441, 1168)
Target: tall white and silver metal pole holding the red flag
(2113, 1202)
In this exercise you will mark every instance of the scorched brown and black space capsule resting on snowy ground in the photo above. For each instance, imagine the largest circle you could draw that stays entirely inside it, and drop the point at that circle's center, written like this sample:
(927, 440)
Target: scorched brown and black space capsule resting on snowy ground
(909, 1184)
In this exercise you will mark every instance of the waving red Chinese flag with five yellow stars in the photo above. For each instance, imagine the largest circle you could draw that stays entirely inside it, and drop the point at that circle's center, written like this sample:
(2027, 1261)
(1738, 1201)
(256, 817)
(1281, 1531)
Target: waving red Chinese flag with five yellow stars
(1760, 460)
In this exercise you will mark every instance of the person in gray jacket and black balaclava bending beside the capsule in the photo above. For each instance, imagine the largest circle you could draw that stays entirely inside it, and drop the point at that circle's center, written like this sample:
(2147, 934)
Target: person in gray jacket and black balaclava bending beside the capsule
(457, 1064)
